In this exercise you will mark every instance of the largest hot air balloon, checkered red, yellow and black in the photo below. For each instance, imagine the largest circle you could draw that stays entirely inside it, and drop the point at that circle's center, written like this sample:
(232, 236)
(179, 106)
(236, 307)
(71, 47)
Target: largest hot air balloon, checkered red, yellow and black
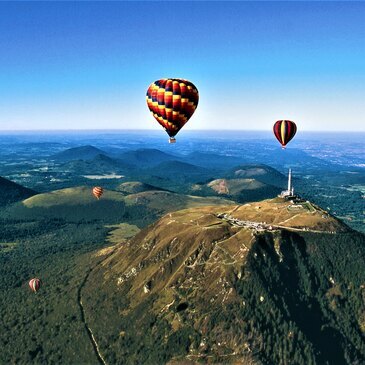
(172, 102)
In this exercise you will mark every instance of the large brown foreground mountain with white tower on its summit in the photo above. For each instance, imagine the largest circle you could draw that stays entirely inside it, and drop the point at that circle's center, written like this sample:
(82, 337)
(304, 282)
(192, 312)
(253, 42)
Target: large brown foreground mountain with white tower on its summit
(270, 282)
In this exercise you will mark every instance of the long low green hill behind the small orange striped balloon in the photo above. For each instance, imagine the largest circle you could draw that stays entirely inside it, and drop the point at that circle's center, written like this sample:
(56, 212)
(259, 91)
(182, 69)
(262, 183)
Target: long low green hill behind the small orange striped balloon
(79, 205)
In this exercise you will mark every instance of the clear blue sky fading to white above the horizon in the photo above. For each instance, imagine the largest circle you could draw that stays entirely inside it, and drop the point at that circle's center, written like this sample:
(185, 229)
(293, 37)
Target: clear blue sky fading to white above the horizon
(76, 65)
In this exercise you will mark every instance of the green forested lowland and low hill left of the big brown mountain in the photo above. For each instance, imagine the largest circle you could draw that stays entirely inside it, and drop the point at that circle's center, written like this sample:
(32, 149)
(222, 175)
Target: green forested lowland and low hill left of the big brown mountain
(60, 237)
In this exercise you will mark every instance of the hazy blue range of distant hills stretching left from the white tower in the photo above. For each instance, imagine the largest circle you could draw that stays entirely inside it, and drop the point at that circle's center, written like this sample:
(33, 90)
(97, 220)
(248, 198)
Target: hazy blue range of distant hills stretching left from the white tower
(152, 162)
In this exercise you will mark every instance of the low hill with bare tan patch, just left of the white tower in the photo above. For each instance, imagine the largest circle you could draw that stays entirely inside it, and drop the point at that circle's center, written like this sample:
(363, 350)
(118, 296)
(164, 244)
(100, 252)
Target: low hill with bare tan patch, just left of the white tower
(240, 190)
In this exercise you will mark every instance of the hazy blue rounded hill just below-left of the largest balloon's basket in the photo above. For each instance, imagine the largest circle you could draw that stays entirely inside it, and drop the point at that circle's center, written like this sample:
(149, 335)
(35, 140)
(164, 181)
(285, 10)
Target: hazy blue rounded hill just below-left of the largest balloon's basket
(146, 157)
